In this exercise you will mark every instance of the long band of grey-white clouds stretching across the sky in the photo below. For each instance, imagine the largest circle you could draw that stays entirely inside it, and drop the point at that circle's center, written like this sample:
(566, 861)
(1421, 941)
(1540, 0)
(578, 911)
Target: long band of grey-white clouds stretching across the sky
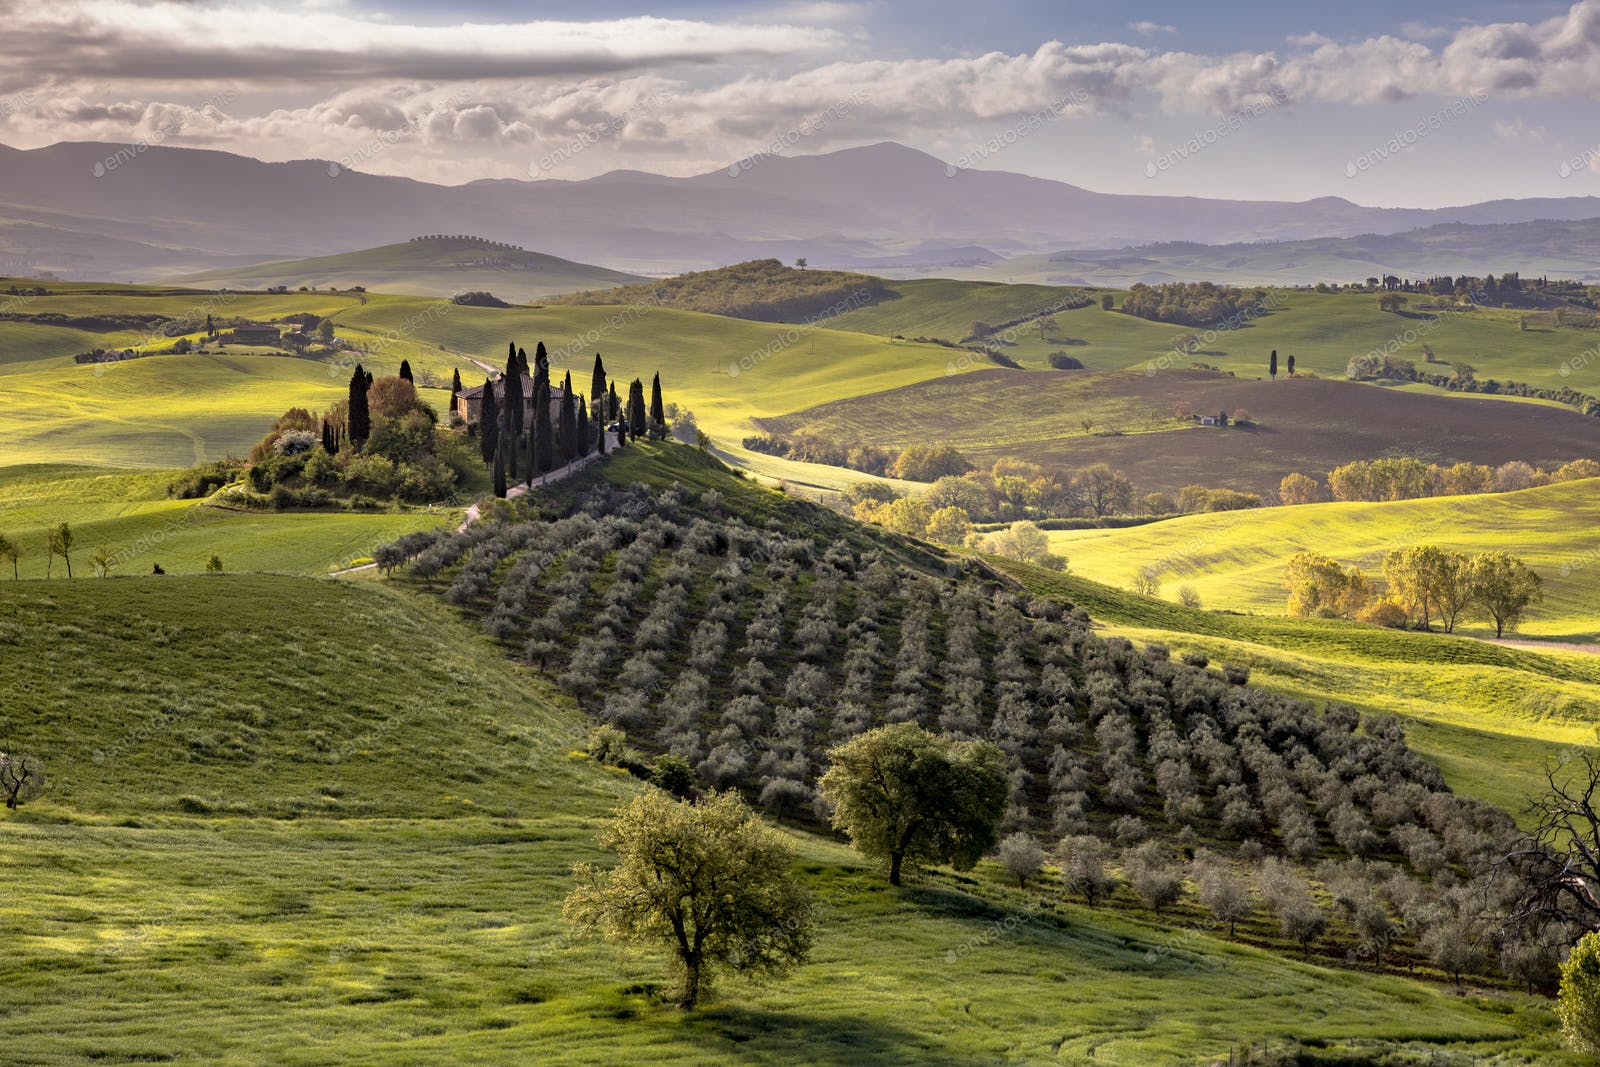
(474, 100)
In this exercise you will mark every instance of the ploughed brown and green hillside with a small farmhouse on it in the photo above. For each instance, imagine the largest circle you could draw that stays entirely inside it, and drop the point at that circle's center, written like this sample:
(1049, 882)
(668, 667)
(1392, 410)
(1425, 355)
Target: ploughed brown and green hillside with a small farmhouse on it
(1127, 420)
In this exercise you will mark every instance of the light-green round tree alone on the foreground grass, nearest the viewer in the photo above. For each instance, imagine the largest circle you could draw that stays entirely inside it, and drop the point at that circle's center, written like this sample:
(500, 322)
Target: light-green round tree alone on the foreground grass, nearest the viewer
(710, 881)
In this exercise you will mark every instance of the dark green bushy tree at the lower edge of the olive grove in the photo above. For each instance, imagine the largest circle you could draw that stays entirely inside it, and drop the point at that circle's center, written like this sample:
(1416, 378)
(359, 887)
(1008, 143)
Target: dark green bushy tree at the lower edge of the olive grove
(908, 796)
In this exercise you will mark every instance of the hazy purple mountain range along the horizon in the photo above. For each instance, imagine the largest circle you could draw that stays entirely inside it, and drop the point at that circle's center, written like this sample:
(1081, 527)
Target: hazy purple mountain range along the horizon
(162, 212)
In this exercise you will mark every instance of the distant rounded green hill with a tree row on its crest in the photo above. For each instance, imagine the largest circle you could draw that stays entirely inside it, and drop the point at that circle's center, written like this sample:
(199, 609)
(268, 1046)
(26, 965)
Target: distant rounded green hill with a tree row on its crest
(426, 268)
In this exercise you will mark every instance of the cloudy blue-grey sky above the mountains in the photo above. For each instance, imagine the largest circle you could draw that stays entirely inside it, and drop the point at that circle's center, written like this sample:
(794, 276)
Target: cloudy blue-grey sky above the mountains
(1386, 103)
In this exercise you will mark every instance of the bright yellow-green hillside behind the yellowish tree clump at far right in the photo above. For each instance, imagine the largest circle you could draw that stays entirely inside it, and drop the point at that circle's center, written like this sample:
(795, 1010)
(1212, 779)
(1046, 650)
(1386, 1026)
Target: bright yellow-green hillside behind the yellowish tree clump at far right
(1236, 561)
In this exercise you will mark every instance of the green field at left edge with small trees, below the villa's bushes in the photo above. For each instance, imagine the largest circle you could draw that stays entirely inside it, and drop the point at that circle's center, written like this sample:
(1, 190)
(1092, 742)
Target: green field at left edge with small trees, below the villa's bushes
(130, 518)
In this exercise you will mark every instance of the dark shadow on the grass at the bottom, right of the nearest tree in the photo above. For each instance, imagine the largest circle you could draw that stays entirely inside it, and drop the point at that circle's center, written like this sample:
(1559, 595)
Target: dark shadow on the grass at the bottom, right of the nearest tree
(772, 1037)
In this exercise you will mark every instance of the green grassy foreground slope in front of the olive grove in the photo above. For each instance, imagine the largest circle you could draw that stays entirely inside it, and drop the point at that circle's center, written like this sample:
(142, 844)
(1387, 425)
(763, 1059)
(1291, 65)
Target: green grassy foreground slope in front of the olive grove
(322, 823)
